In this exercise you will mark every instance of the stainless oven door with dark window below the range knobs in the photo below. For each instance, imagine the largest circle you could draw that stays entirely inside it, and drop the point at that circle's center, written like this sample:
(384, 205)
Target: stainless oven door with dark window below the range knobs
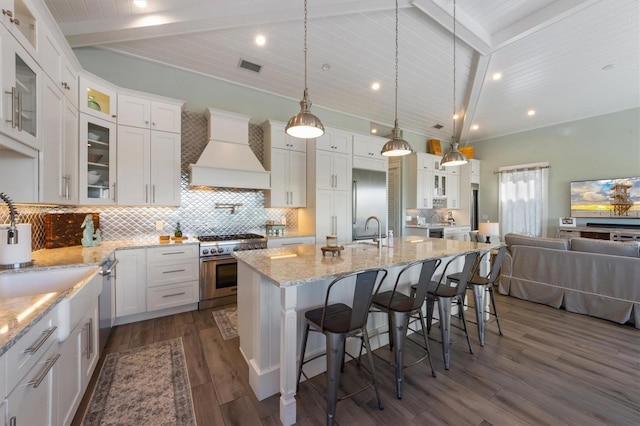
(218, 277)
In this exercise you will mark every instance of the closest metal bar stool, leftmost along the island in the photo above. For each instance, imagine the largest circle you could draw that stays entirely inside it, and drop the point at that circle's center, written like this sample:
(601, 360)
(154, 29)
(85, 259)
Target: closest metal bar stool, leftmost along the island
(337, 321)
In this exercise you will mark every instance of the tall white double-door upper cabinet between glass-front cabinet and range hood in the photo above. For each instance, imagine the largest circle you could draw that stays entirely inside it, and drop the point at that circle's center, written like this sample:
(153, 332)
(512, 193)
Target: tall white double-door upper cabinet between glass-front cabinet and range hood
(148, 165)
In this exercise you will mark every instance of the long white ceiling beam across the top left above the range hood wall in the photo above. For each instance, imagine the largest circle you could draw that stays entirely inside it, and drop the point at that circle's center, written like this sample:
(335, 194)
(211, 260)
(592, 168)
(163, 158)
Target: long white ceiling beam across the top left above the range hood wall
(209, 17)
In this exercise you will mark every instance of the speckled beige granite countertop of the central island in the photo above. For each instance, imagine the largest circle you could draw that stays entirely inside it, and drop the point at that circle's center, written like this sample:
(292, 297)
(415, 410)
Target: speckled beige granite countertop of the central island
(292, 266)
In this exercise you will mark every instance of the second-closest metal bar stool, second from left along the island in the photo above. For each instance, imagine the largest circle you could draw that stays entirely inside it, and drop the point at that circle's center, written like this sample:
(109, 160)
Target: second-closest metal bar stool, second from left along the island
(399, 308)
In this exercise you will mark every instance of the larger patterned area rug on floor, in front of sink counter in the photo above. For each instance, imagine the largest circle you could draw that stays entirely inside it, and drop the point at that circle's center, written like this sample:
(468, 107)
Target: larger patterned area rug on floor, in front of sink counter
(148, 385)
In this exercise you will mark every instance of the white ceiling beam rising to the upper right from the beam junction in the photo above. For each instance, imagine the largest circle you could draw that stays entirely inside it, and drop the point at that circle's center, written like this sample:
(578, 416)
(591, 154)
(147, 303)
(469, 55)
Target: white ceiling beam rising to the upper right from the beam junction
(553, 13)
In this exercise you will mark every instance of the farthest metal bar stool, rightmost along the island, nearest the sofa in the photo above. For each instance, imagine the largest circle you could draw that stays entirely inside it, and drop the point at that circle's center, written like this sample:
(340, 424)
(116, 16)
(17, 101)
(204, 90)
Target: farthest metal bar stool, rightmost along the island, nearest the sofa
(482, 285)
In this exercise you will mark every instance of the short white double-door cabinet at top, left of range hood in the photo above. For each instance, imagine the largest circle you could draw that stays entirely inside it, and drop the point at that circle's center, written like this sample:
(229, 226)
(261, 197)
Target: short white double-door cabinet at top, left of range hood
(149, 114)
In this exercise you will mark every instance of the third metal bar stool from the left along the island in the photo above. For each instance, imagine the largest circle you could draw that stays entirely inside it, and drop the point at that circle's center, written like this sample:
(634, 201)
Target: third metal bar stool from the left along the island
(444, 294)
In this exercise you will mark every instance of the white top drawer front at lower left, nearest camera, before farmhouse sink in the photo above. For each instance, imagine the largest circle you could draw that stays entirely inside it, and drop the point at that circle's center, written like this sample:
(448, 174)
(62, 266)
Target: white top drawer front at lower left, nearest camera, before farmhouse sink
(40, 336)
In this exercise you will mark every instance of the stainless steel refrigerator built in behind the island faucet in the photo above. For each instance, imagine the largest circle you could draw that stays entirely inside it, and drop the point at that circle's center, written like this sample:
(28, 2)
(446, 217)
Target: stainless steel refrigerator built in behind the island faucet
(369, 192)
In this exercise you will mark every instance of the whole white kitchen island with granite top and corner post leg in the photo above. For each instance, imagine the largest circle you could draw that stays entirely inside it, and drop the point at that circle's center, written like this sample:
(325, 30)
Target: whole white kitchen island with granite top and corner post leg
(274, 285)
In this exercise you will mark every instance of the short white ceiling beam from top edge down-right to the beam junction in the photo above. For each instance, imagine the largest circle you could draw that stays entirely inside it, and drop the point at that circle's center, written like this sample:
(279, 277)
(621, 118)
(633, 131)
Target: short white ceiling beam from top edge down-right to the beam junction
(467, 29)
